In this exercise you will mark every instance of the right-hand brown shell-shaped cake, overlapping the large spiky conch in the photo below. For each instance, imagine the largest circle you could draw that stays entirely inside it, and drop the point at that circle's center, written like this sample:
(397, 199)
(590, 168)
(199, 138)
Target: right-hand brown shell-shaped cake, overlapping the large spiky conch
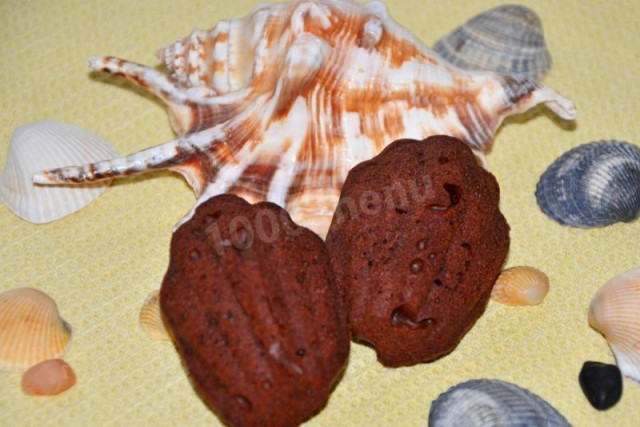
(416, 243)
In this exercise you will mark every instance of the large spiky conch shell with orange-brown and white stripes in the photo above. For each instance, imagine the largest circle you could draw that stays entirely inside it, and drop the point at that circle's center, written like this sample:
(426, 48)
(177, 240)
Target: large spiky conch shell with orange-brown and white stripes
(280, 104)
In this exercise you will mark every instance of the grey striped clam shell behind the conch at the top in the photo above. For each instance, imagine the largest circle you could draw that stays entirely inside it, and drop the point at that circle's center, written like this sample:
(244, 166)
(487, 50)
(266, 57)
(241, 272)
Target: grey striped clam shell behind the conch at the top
(507, 39)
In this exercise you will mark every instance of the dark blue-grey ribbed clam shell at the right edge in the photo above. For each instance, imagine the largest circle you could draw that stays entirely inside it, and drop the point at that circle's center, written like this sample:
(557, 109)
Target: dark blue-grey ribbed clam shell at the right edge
(592, 185)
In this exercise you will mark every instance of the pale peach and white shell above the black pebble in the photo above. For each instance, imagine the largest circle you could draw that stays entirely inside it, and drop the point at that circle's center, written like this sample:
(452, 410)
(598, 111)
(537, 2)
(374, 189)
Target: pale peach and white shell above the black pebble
(615, 312)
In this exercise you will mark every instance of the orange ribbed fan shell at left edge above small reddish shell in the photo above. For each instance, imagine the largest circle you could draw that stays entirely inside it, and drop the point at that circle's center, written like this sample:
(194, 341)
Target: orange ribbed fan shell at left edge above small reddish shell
(31, 329)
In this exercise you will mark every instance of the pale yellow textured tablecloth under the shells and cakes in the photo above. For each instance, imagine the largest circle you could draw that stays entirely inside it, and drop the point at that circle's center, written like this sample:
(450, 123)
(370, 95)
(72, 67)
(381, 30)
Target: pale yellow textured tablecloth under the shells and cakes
(100, 263)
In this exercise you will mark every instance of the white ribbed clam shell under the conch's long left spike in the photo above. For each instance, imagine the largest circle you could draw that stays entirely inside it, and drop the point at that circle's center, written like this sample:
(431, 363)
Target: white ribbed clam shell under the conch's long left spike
(43, 145)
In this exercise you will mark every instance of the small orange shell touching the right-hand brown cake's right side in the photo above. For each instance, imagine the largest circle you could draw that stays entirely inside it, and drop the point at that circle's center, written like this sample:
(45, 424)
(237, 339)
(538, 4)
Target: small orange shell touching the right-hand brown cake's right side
(520, 285)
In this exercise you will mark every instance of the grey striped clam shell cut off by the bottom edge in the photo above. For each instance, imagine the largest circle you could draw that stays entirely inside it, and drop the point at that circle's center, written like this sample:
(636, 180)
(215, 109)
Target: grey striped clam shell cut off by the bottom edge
(492, 403)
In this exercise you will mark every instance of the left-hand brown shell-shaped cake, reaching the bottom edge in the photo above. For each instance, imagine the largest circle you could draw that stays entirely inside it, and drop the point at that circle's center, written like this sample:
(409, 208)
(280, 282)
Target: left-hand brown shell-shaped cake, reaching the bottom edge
(252, 305)
